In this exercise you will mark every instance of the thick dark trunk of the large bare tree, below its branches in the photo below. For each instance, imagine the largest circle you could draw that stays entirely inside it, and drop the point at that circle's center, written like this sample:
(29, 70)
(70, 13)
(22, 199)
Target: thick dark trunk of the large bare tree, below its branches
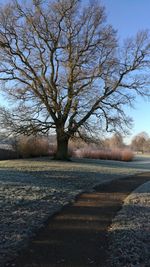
(62, 146)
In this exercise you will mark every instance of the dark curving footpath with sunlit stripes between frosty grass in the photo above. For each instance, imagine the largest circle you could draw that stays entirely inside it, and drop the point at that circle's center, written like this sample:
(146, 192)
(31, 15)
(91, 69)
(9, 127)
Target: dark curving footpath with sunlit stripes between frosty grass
(77, 236)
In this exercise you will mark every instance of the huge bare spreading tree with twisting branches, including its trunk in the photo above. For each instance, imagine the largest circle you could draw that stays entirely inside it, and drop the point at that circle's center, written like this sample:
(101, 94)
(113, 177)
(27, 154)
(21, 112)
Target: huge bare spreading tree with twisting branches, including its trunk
(62, 65)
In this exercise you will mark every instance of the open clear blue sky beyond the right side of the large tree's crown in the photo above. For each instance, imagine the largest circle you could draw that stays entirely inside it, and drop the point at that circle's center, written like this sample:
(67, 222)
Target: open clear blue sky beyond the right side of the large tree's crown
(128, 17)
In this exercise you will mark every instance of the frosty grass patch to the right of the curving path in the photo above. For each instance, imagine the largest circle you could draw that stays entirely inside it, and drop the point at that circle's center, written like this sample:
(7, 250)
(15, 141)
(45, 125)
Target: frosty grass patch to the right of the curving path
(130, 230)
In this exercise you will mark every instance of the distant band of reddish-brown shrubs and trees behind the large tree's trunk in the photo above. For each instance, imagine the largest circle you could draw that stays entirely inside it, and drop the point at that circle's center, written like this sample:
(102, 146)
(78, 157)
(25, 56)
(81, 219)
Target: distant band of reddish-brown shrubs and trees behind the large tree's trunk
(31, 146)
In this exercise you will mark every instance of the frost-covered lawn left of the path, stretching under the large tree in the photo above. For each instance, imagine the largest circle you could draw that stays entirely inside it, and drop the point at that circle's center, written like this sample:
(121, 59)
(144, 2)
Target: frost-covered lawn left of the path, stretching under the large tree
(32, 190)
